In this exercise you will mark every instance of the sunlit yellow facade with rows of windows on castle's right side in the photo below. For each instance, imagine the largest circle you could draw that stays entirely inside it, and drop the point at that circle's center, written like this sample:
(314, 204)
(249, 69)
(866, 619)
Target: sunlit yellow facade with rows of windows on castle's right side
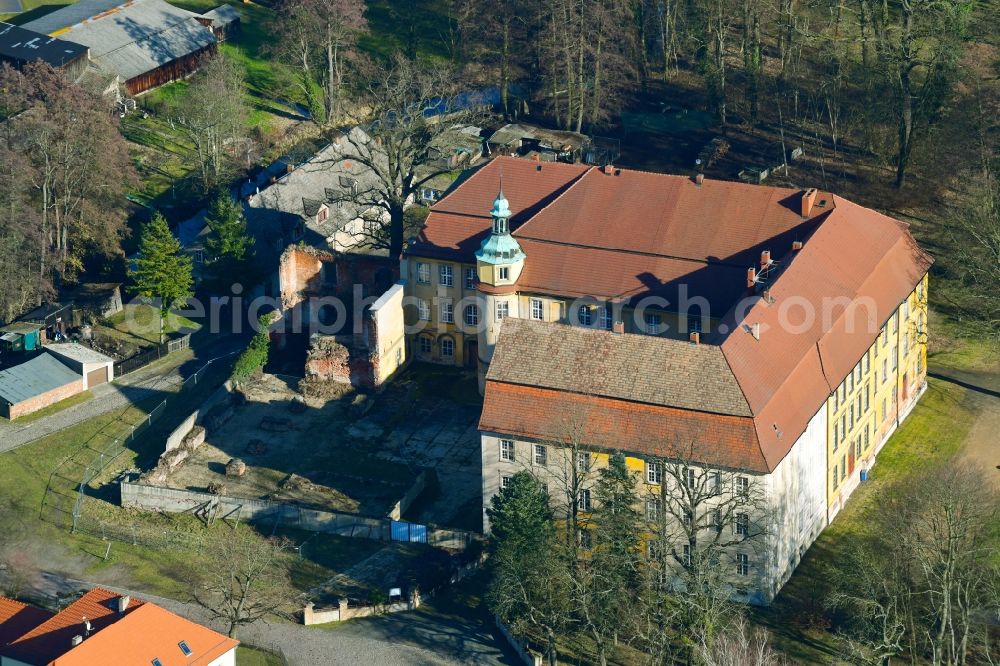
(881, 389)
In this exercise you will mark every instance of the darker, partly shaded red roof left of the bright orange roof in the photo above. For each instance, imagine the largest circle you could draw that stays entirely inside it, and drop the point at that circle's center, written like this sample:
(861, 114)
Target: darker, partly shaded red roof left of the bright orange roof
(51, 639)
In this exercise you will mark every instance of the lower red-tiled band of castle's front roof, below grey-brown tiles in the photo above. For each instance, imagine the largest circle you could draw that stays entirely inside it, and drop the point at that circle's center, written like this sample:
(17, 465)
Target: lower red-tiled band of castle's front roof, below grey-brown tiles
(605, 423)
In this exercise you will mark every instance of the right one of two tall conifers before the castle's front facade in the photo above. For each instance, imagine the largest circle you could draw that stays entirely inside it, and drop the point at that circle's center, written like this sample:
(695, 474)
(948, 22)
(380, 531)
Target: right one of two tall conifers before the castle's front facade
(612, 578)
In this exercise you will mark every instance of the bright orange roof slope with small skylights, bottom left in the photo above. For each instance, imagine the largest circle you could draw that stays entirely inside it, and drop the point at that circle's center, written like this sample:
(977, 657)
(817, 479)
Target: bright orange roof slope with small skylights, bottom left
(150, 632)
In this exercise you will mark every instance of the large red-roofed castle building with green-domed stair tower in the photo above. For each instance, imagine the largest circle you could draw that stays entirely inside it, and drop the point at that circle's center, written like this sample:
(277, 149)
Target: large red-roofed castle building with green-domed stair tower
(772, 338)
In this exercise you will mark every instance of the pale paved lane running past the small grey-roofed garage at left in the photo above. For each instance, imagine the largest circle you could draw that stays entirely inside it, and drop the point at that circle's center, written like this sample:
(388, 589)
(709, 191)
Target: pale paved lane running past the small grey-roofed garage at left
(130, 389)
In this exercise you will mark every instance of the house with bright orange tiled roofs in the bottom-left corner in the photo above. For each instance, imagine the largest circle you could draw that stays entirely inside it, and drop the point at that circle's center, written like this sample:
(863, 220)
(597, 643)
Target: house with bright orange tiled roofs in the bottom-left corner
(104, 627)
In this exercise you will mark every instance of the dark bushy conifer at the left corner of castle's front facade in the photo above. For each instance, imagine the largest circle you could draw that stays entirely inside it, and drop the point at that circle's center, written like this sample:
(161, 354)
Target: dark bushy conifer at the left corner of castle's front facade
(530, 584)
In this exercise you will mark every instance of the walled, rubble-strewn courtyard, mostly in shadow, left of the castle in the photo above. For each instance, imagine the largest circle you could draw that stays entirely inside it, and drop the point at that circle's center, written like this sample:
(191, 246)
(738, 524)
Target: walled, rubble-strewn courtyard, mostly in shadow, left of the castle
(349, 452)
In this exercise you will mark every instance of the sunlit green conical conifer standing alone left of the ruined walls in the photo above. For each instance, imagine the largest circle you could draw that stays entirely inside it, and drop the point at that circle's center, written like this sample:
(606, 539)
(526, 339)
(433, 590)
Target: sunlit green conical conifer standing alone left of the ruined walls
(161, 272)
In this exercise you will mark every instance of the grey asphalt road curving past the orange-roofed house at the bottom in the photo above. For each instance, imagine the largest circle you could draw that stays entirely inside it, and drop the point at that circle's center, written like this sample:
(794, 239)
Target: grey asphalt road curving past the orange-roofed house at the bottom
(430, 636)
